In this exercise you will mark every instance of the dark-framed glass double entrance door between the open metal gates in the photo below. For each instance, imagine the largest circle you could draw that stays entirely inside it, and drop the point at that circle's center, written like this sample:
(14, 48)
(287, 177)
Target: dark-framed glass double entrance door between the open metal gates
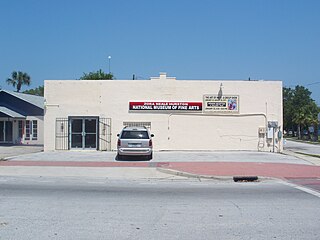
(83, 133)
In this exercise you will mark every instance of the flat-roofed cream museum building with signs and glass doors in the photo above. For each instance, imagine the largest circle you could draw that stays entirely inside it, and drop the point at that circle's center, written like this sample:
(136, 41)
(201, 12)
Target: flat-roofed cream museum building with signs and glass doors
(182, 114)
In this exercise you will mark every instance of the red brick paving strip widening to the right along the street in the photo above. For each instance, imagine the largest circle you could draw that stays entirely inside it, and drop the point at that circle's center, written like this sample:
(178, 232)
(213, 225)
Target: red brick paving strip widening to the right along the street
(276, 170)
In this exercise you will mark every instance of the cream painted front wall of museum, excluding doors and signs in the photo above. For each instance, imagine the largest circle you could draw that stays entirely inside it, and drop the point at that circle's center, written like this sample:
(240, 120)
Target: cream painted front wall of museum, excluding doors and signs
(259, 101)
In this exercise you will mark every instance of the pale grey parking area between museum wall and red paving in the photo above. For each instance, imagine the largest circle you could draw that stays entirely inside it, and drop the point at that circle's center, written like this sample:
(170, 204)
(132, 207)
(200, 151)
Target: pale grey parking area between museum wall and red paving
(162, 156)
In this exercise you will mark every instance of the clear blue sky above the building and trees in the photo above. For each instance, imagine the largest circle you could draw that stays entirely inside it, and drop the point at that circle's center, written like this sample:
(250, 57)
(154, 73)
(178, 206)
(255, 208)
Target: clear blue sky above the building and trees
(198, 39)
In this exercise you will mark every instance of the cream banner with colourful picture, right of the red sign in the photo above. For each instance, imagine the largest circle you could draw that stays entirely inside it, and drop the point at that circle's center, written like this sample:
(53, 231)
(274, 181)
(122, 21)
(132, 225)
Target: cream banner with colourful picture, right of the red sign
(221, 104)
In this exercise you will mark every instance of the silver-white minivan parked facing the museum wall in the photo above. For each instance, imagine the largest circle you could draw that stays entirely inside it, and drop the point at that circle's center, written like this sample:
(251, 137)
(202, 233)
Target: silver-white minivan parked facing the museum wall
(134, 141)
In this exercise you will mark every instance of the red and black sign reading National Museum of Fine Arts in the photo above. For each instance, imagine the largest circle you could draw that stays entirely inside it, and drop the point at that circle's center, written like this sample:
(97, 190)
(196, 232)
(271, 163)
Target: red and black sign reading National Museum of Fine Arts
(165, 106)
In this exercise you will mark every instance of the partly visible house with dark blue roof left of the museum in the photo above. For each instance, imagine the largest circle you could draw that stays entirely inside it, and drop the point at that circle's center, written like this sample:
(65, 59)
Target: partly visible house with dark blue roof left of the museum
(21, 118)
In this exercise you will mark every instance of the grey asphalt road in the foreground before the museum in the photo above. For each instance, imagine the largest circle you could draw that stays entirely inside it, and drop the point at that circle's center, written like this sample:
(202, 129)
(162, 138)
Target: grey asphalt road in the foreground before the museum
(69, 208)
